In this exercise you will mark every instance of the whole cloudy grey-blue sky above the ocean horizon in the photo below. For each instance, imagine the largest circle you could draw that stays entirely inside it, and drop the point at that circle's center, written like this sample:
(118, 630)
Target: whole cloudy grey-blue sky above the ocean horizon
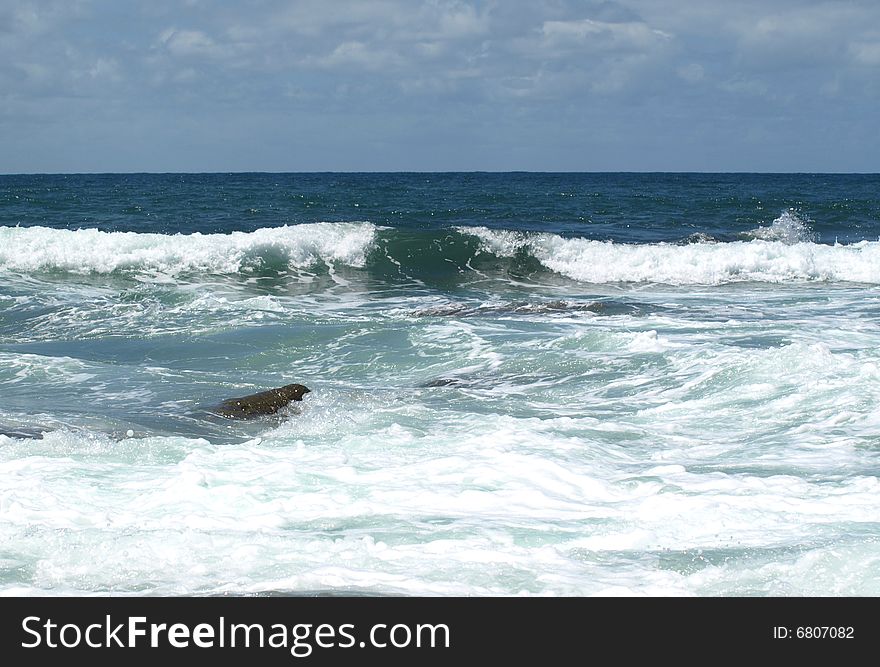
(439, 85)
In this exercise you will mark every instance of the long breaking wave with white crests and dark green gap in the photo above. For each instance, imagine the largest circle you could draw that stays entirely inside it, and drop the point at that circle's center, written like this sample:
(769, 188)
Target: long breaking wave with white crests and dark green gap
(779, 253)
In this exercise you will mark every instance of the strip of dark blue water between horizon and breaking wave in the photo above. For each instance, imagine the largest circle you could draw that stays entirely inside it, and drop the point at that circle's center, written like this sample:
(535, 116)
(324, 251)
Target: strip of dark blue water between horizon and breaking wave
(631, 208)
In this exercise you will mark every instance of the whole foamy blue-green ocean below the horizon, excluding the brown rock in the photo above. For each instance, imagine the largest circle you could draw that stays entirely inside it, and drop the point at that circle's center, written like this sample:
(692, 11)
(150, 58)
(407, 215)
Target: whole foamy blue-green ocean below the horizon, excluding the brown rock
(522, 384)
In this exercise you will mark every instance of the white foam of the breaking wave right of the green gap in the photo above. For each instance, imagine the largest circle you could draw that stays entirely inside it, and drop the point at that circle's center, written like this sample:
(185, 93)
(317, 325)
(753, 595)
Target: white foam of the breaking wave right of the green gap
(692, 264)
